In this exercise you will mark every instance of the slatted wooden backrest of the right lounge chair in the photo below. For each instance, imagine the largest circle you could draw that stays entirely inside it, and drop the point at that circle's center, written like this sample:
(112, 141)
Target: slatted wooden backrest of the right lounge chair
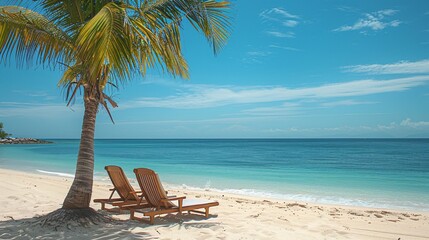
(152, 188)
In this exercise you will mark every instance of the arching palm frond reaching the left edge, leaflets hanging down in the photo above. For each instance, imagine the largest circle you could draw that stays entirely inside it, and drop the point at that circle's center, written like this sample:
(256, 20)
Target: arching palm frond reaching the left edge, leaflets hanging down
(31, 37)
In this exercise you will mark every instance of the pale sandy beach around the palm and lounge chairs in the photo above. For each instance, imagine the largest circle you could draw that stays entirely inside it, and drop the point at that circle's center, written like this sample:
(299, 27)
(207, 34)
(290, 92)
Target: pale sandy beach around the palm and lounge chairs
(24, 196)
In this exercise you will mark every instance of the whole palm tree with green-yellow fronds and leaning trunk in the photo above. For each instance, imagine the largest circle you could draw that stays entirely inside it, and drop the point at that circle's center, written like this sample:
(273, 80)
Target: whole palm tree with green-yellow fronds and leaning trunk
(100, 44)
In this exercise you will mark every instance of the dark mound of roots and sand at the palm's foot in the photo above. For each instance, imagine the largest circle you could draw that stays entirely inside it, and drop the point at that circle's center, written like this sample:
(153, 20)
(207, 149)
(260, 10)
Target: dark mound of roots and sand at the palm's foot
(72, 218)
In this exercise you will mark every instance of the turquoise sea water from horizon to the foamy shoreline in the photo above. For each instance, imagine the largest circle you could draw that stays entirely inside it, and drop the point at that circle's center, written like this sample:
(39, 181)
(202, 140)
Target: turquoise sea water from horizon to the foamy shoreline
(387, 173)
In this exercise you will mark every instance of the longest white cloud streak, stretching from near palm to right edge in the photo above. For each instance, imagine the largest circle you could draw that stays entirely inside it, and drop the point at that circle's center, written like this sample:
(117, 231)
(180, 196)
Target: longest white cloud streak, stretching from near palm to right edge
(215, 96)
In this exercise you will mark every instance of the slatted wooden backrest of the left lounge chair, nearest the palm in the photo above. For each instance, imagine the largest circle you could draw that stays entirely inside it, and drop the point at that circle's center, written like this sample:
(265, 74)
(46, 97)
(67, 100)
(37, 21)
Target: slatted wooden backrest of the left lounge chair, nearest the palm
(121, 183)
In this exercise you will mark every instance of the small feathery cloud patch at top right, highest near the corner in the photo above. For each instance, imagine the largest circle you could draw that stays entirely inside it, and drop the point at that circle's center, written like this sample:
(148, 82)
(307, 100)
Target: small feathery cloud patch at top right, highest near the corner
(374, 21)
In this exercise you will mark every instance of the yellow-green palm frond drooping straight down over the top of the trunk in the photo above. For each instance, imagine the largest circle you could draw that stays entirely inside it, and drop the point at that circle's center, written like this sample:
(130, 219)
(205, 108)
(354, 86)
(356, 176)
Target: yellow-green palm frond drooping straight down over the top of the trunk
(105, 39)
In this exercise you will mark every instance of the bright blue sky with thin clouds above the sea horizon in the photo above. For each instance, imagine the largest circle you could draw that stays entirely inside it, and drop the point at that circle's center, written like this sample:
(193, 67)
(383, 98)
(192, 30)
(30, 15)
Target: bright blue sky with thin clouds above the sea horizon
(289, 70)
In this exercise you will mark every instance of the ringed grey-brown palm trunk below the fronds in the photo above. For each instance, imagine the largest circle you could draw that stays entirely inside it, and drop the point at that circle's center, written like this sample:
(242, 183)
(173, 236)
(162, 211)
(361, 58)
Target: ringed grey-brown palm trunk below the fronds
(79, 195)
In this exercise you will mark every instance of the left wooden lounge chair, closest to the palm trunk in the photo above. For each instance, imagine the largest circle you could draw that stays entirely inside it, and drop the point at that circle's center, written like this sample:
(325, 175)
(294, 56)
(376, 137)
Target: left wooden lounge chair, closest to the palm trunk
(127, 195)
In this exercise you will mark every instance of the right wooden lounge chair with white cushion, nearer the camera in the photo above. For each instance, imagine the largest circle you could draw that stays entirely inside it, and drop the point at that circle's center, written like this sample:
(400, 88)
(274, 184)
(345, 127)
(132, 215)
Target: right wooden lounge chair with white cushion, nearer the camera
(159, 203)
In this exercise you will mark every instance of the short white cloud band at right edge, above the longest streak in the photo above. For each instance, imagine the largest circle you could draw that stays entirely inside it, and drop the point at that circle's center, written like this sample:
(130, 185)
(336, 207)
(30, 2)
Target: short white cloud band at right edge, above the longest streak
(403, 67)
